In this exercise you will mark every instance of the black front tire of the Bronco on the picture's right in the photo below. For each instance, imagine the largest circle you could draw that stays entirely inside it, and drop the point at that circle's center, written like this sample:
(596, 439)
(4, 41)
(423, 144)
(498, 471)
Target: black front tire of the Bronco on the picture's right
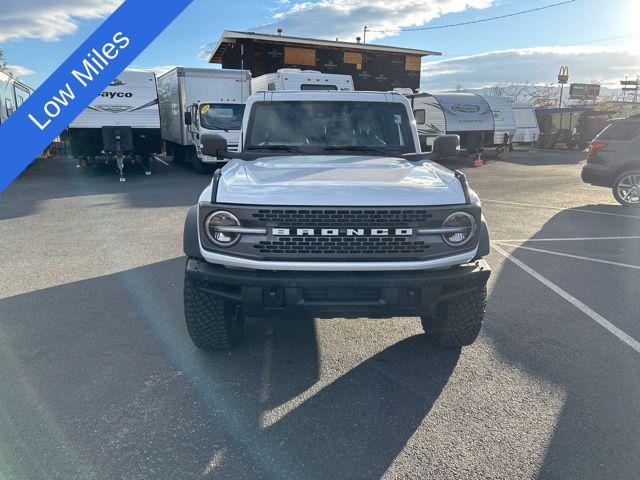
(458, 322)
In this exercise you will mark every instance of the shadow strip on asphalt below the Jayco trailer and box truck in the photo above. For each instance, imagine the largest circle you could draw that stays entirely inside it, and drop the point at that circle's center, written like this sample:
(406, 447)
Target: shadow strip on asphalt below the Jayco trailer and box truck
(55, 178)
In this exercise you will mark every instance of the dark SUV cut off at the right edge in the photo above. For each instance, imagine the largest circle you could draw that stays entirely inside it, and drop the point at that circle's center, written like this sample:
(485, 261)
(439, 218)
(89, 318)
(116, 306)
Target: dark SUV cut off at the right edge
(614, 160)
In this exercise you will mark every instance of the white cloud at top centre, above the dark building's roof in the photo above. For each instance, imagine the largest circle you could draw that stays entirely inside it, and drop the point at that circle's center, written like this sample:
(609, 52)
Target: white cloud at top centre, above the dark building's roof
(346, 19)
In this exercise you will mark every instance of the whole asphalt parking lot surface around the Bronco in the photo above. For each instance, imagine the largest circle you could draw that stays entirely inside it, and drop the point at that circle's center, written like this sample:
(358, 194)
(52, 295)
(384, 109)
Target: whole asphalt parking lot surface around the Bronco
(98, 378)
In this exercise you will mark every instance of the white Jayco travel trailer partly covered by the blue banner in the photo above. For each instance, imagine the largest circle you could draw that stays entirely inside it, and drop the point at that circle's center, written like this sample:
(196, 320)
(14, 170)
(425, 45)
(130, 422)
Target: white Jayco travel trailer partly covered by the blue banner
(121, 124)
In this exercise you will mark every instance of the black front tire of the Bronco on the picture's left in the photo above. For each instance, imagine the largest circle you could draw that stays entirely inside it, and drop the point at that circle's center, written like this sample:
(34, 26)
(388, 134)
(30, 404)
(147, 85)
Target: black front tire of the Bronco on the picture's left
(213, 323)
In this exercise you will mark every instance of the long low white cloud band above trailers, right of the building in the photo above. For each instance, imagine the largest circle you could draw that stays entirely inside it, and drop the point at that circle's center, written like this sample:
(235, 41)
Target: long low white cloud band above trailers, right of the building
(531, 65)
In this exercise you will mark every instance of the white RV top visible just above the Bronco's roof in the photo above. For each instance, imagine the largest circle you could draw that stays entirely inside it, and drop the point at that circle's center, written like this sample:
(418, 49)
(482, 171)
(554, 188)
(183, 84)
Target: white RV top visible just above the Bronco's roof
(295, 79)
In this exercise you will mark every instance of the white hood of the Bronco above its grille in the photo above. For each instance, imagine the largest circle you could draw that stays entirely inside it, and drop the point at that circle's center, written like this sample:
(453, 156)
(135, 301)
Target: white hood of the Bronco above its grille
(338, 180)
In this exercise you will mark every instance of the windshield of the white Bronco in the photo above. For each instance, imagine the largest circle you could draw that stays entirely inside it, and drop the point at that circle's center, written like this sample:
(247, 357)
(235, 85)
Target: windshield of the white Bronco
(312, 126)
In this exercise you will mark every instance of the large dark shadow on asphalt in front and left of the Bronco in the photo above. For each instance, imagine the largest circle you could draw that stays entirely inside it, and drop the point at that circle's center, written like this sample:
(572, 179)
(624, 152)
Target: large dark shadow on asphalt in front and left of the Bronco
(105, 383)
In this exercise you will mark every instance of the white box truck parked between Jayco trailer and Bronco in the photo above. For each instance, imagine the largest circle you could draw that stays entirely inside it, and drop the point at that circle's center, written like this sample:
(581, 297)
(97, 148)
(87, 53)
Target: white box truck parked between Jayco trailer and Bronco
(195, 100)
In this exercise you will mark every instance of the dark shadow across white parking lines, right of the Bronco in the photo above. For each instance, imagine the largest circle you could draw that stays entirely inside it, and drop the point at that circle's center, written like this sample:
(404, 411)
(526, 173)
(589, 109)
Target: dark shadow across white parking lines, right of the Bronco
(596, 434)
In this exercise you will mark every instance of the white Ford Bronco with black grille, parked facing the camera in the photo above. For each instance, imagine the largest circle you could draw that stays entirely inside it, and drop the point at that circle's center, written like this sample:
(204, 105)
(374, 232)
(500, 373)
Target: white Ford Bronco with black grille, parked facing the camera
(329, 207)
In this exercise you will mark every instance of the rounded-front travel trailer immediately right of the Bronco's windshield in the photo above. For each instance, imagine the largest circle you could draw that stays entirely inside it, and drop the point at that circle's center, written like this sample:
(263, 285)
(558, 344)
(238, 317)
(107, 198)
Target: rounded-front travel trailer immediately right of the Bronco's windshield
(464, 114)
